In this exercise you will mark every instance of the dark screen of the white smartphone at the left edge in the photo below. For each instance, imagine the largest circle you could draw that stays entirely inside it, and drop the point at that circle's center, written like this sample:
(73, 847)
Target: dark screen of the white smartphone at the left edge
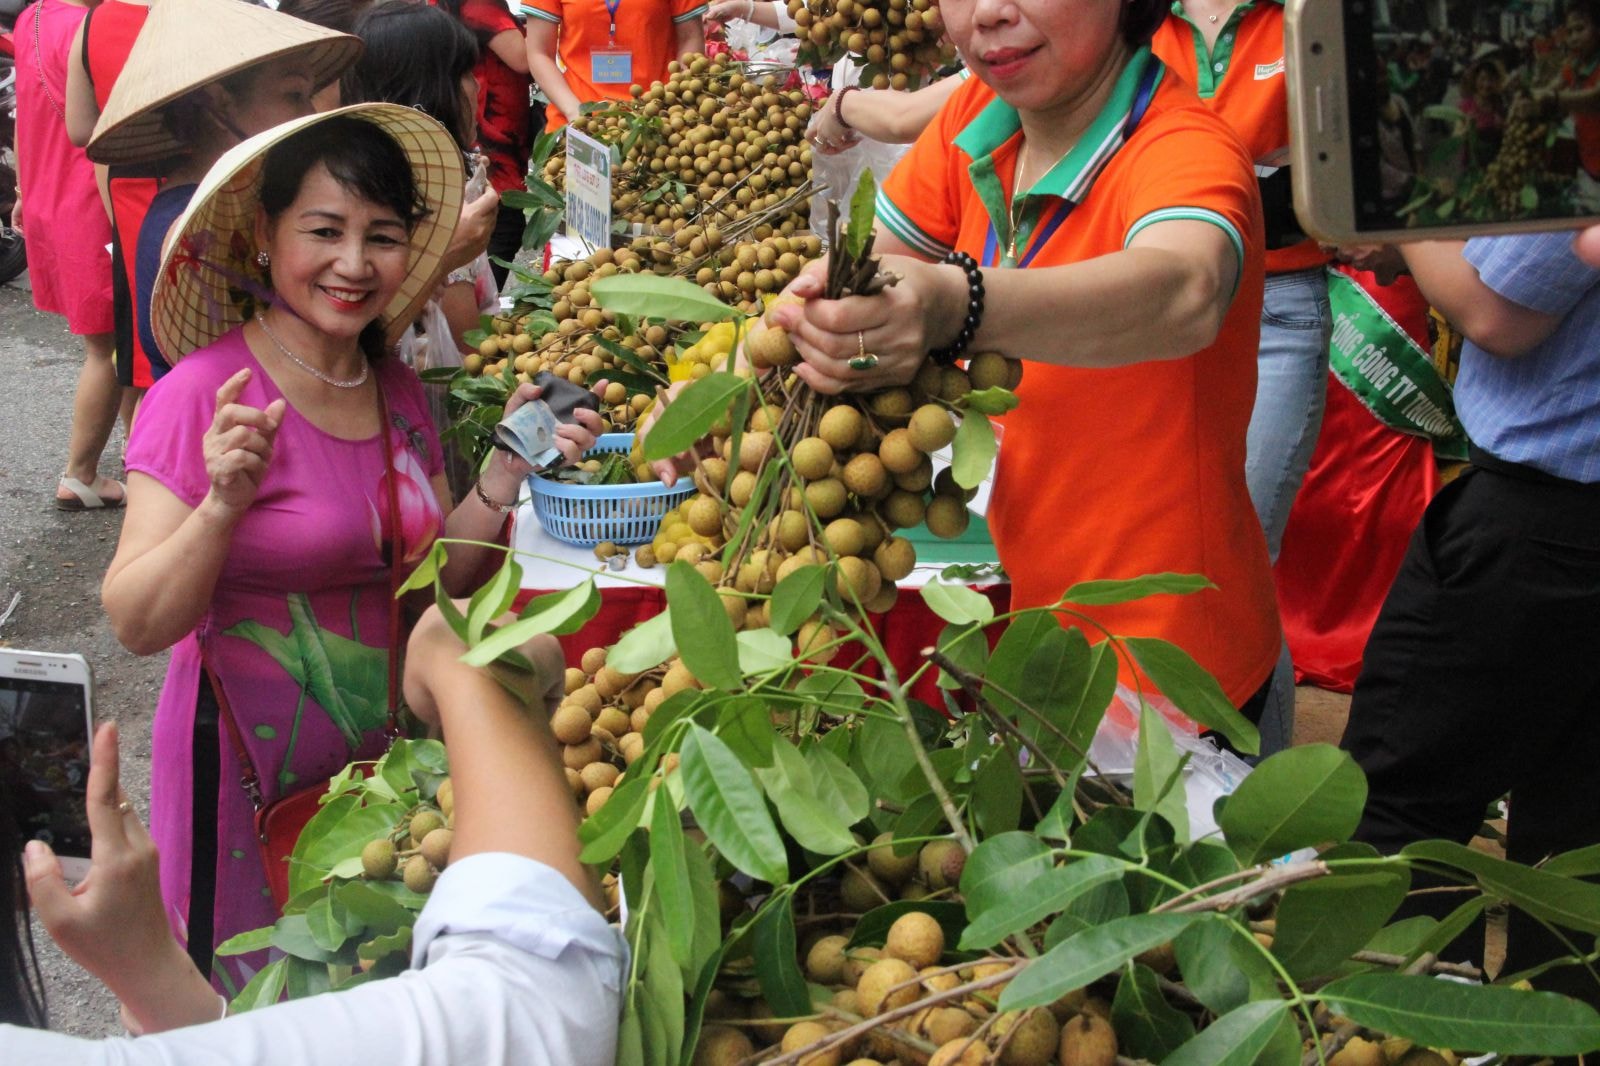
(46, 761)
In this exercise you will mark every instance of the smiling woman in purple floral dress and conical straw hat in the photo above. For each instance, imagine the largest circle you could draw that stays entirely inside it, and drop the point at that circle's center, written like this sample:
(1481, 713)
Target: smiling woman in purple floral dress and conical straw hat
(279, 476)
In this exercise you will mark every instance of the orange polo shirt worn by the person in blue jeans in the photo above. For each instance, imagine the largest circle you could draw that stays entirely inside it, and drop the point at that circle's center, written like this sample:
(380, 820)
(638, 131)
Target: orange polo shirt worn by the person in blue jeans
(1242, 79)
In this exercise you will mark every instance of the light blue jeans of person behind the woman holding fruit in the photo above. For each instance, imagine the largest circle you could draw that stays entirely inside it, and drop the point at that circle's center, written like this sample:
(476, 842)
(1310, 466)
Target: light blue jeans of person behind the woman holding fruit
(1292, 390)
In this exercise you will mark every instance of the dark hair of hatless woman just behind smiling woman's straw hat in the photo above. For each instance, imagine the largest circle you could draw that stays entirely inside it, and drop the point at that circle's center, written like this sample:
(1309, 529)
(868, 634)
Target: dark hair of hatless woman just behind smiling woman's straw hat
(417, 57)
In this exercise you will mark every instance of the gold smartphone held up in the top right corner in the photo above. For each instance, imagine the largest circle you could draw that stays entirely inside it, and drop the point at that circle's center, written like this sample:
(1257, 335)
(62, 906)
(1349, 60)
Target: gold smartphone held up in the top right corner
(1420, 121)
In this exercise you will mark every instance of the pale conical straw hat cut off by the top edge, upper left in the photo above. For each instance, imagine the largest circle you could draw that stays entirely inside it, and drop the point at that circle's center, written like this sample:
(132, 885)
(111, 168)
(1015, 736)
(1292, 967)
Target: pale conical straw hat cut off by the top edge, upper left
(190, 44)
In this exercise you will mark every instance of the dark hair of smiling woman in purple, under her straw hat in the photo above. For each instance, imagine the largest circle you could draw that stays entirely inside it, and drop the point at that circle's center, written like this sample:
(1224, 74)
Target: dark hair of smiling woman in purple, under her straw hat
(361, 158)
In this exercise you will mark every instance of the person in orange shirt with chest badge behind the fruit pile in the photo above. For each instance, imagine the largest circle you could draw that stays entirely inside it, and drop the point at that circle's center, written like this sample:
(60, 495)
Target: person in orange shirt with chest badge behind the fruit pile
(582, 52)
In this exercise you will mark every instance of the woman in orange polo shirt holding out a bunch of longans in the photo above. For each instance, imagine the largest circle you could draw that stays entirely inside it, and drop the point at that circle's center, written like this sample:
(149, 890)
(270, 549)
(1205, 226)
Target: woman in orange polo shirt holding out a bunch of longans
(1129, 276)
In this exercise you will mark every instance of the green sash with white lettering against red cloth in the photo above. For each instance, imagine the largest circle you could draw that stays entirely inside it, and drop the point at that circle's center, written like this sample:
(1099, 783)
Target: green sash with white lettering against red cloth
(1390, 372)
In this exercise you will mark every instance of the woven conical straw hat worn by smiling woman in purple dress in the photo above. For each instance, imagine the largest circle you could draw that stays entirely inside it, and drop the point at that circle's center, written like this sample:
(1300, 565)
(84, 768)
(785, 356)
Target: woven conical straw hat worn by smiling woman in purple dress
(210, 283)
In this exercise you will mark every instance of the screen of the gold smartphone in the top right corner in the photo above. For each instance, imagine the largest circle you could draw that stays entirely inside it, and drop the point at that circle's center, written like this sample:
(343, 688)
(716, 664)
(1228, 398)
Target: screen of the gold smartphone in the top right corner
(1462, 114)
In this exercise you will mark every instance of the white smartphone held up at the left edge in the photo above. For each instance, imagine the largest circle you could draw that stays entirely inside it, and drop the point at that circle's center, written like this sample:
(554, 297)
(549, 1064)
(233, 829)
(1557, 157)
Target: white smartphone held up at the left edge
(47, 721)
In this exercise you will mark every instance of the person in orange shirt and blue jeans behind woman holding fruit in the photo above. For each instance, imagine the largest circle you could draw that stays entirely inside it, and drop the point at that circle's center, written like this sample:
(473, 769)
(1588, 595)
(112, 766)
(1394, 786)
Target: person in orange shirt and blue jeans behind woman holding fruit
(1233, 54)
